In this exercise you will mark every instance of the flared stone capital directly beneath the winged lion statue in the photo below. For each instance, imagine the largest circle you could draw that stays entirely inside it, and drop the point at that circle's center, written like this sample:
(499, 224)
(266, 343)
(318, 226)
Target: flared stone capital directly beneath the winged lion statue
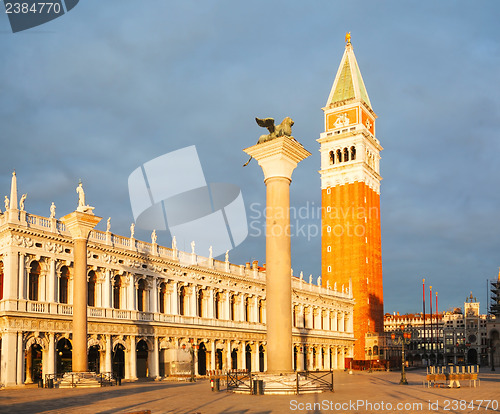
(278, 157)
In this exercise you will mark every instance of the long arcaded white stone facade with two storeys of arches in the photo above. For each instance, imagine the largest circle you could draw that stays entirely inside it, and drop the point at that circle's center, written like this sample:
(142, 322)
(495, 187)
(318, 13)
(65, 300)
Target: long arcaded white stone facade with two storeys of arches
(150, 308)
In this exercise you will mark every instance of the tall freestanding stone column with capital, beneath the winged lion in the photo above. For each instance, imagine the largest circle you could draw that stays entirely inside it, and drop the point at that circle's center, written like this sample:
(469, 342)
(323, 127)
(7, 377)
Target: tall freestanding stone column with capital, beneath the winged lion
(278, 158)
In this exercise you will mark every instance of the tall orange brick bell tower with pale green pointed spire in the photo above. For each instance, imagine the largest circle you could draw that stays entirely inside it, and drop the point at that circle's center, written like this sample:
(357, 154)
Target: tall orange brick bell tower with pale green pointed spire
(350, 191)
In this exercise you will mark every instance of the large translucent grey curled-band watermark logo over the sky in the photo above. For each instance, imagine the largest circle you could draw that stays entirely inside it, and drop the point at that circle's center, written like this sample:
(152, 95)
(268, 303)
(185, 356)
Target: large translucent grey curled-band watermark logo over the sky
(171, 192)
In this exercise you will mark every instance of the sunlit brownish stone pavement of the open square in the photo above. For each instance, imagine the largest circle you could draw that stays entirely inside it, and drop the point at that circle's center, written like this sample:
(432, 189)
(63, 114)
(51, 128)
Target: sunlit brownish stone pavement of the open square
(353, 394)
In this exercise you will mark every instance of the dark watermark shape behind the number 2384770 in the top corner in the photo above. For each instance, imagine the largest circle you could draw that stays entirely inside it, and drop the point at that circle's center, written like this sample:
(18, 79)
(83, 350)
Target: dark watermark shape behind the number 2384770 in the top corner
(25, 14)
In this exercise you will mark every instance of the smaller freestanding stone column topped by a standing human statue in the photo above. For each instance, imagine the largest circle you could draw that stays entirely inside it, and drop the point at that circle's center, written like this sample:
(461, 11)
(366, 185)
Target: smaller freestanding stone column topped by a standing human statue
(79, 225)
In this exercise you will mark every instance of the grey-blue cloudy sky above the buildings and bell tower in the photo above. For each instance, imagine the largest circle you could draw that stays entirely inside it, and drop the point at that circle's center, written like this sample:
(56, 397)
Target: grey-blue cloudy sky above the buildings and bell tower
(96, 93)
